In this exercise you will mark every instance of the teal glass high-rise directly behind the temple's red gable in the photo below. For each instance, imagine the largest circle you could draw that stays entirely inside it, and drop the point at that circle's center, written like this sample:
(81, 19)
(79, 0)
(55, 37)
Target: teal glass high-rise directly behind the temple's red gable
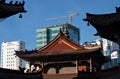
(46, 34)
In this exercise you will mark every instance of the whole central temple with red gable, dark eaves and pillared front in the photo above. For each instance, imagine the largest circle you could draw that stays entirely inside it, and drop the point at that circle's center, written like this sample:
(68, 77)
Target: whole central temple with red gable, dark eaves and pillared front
(62, 57)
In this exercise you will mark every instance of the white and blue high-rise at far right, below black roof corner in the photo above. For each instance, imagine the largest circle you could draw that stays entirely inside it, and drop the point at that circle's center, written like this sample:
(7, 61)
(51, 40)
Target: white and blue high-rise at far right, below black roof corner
(111, 50)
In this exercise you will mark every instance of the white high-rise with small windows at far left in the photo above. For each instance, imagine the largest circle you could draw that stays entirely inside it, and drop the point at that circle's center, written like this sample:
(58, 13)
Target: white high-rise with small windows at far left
(8, 58)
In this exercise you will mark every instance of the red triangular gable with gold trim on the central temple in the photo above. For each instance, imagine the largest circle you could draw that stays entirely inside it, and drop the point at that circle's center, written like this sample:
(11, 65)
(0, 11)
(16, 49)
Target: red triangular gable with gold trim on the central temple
(60, 43)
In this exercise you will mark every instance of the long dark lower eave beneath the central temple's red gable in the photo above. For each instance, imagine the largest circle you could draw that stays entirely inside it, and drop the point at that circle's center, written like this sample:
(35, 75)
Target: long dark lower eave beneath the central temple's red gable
(62, 55)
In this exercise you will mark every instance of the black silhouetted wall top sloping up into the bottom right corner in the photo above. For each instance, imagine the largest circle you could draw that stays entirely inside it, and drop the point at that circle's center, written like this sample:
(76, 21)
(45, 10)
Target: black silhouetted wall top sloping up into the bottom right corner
(113, 73)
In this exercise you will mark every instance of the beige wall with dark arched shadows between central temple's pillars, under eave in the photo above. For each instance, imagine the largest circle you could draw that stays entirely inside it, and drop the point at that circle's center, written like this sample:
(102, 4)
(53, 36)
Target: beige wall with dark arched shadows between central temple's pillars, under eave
(60, 68)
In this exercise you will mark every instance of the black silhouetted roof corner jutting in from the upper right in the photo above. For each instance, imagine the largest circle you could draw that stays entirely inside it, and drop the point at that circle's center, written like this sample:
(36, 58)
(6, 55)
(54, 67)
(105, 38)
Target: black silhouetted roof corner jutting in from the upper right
(107, 25)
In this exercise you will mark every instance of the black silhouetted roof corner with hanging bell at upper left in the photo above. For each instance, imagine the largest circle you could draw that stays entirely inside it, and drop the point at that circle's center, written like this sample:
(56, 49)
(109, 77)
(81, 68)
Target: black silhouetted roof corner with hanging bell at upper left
(9, 9)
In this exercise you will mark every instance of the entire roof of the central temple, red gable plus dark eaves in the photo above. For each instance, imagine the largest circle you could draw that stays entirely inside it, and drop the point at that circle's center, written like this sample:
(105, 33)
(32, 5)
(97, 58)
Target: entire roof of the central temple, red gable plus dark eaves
(61, 48)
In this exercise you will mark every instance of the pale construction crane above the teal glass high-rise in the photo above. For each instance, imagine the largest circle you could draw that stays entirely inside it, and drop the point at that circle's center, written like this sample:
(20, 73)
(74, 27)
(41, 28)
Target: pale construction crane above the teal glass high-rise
(60, 17)
